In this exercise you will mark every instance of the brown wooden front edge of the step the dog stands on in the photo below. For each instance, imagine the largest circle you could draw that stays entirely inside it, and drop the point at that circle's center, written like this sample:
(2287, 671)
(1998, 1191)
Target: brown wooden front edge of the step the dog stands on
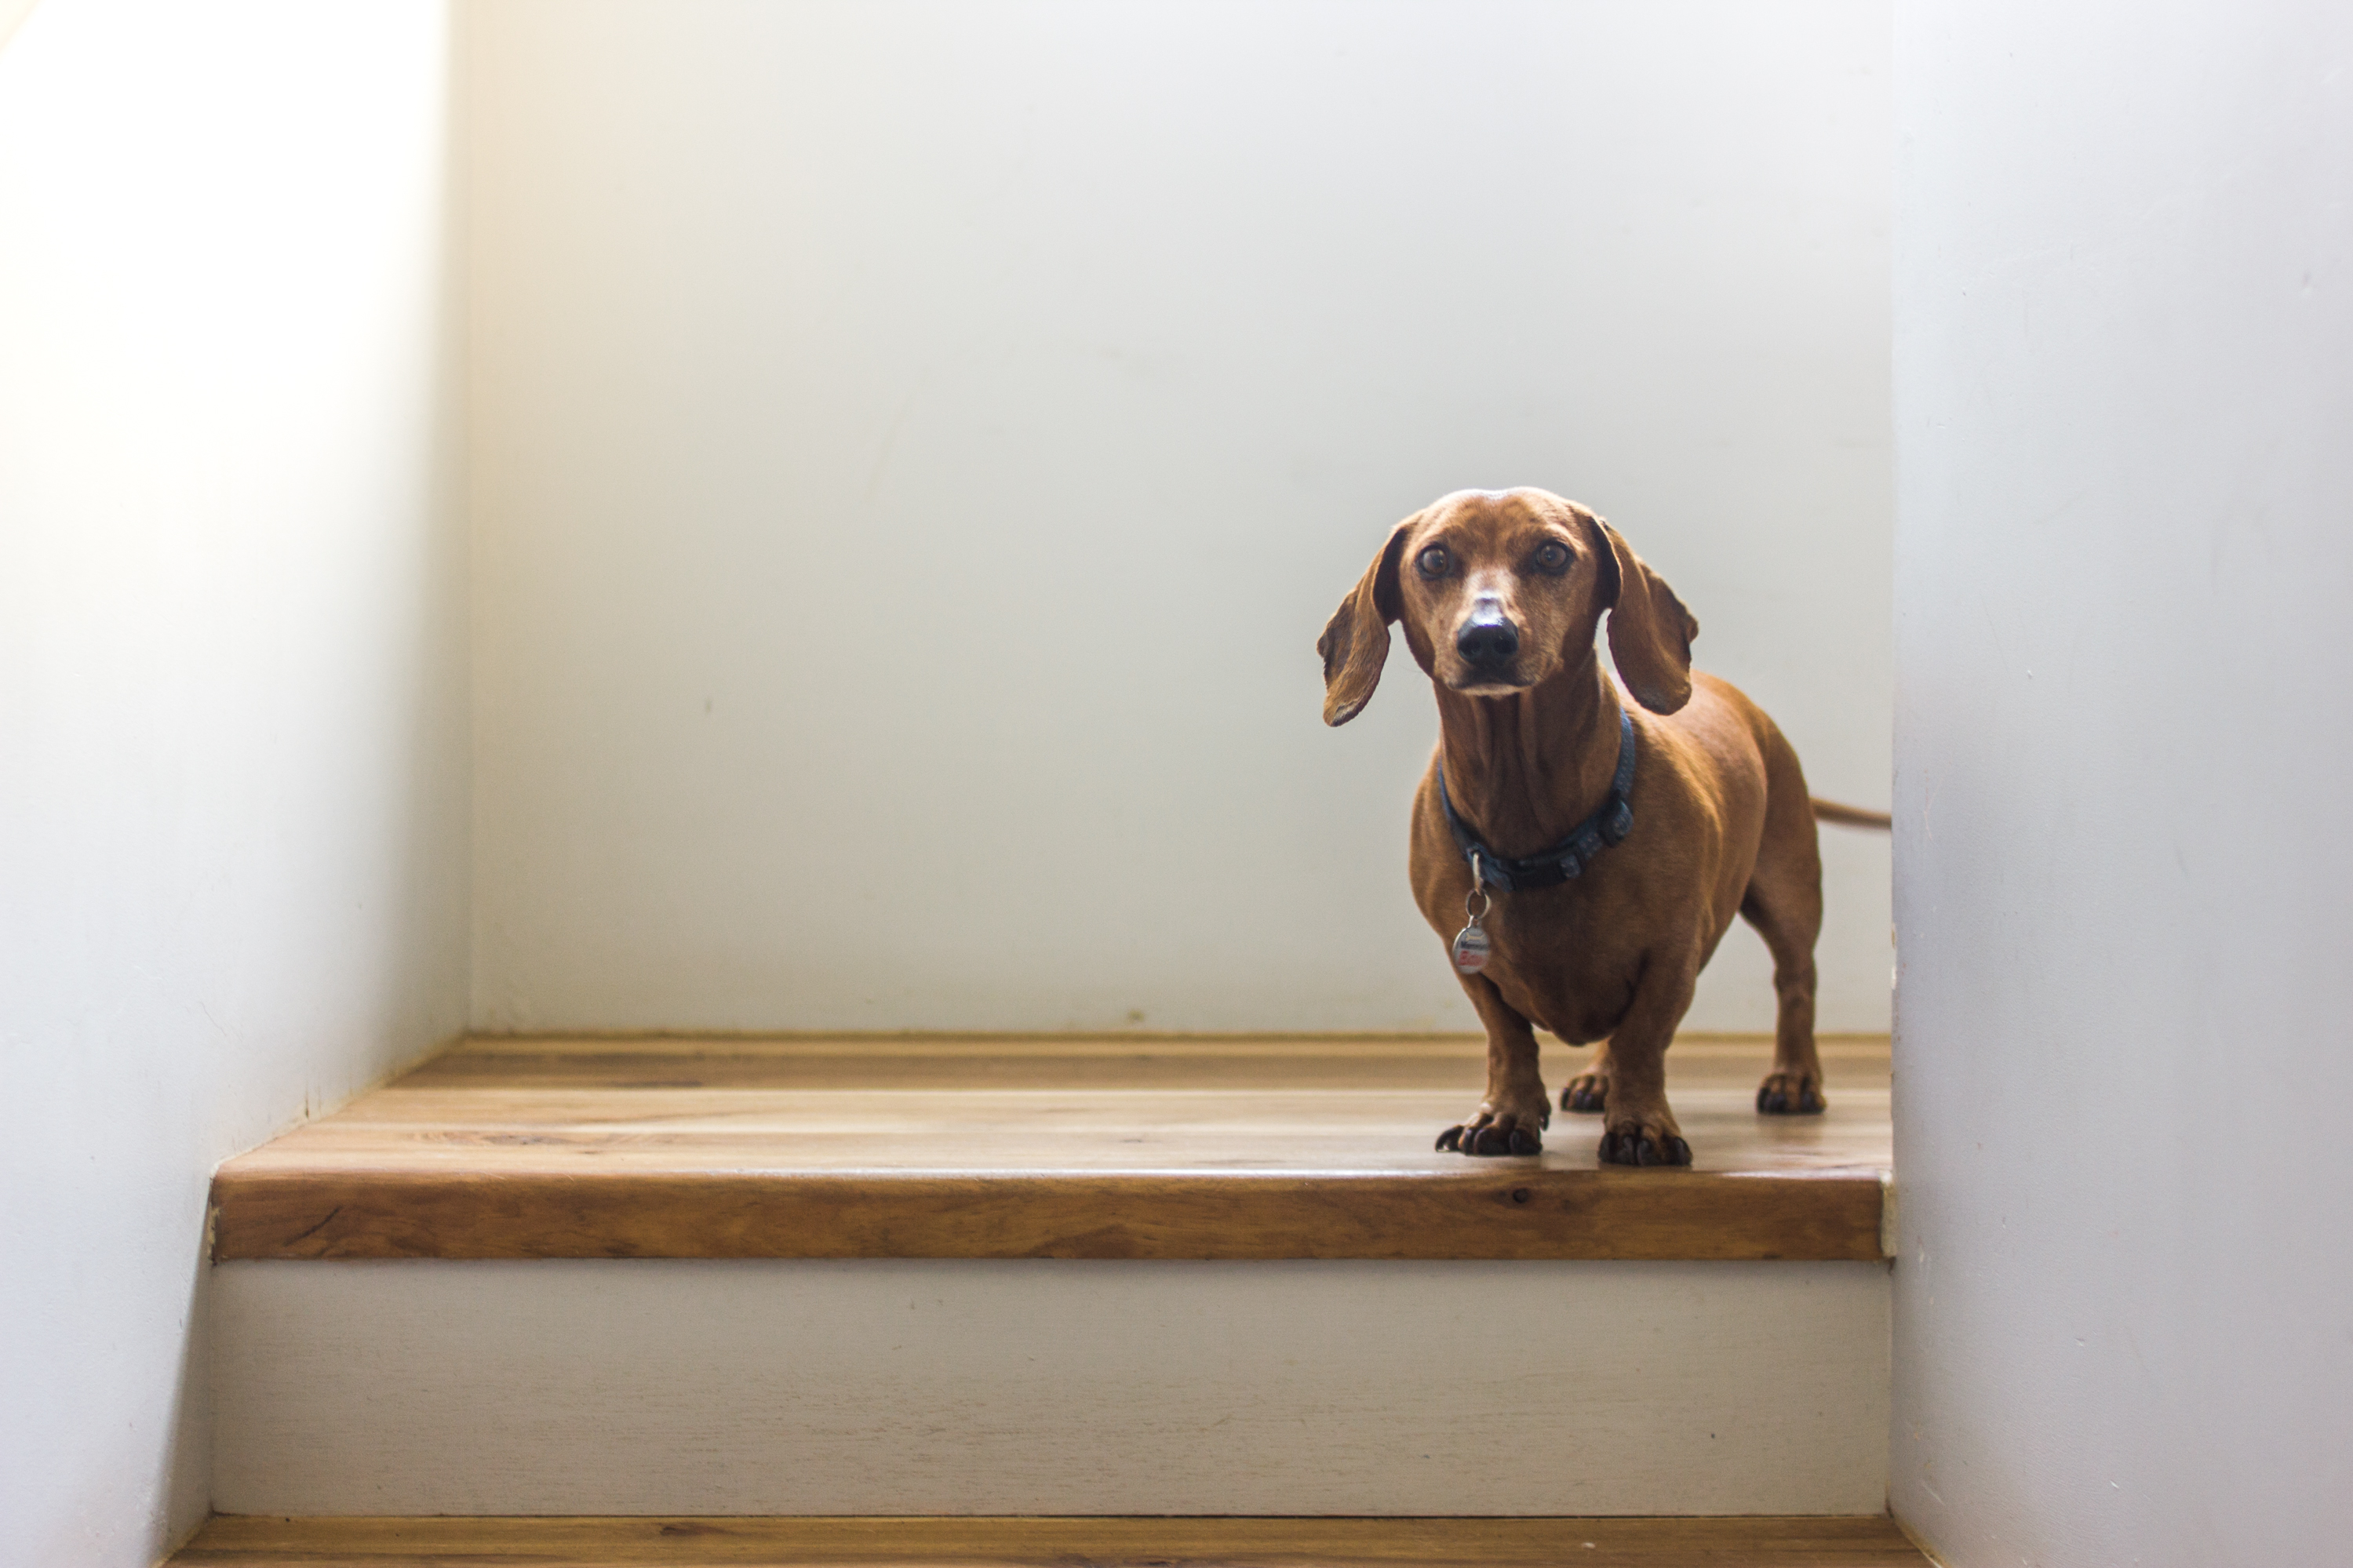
(1502, 1214)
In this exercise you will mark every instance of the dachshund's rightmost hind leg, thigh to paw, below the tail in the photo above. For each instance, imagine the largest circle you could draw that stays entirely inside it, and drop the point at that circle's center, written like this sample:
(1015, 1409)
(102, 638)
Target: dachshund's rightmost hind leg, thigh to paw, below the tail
(1785, 906)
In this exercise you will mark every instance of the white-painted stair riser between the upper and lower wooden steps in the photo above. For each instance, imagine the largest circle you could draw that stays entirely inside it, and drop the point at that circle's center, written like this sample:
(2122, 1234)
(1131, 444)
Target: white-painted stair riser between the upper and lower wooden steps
(1051, 1388)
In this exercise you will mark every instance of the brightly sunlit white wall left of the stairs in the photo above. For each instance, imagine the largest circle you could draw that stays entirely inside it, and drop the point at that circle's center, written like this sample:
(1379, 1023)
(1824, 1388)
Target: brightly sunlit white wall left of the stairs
(232, 681)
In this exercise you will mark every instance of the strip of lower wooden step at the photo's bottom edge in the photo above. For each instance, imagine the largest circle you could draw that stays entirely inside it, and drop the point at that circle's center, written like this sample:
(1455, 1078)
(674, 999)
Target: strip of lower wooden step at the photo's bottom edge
(1053, 1543)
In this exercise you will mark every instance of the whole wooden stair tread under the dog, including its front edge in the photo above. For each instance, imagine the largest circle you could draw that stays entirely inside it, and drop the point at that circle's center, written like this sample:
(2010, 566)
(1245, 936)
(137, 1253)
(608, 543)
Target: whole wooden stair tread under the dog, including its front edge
(1039, 1148)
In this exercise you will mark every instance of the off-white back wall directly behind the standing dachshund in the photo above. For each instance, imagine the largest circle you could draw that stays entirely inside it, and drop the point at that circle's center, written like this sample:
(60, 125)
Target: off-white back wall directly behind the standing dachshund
(919, 443)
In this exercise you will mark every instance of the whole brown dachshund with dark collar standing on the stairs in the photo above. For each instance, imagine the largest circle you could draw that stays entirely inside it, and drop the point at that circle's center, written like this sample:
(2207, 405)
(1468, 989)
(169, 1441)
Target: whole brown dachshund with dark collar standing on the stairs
(1613, 843)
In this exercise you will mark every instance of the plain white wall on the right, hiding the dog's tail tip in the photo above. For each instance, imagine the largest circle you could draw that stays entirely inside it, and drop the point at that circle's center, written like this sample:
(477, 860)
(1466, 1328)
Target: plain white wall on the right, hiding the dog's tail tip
(2126, 474)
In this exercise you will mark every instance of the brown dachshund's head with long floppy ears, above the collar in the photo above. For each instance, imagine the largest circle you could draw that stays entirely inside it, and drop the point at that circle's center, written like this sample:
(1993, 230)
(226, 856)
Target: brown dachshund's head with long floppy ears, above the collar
(1502, 591)
